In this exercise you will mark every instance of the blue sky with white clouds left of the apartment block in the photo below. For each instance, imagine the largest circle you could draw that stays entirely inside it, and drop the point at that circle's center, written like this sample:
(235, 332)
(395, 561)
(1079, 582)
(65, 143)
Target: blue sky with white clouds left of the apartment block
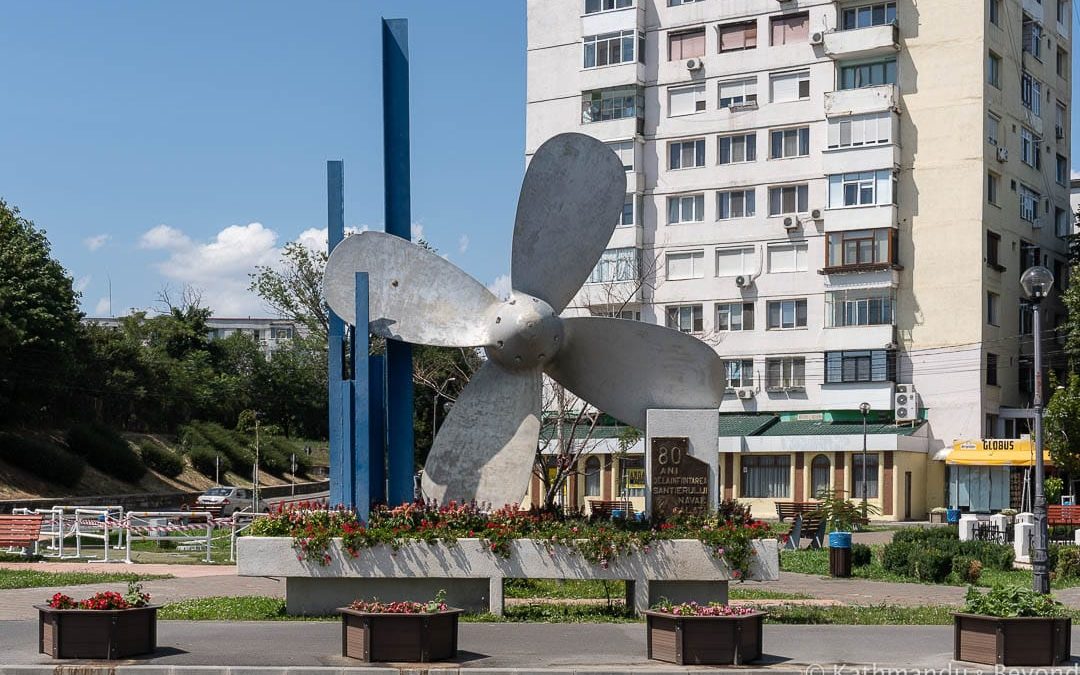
(182, 143)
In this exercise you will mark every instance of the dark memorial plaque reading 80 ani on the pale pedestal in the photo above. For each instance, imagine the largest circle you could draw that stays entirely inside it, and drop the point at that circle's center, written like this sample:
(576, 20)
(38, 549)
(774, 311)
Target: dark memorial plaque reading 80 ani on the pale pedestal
(680, 482)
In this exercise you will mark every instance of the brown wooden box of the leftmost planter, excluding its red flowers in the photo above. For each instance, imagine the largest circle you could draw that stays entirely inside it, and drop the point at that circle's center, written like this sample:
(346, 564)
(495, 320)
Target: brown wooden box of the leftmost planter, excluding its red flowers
(97, 633)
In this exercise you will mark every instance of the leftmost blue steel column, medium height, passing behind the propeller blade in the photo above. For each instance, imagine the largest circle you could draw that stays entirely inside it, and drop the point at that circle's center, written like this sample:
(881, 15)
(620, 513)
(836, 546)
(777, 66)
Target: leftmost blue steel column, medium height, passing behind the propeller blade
(335, 358)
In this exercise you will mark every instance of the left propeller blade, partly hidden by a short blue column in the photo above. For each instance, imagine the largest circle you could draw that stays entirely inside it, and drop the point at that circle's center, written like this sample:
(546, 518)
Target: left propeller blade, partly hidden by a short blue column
(416, 295)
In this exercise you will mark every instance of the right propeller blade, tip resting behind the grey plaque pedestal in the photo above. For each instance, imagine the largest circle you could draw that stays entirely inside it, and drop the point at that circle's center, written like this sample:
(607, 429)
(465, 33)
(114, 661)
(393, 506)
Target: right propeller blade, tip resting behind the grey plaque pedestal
(626, 368)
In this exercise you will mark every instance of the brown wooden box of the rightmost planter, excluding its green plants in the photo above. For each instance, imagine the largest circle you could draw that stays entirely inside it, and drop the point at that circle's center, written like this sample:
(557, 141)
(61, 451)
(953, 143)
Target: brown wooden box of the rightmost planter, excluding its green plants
(1020, 641)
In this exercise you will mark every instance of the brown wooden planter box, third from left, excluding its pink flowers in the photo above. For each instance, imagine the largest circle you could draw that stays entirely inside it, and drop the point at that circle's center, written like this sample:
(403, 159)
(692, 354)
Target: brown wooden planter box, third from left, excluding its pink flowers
(705, 641)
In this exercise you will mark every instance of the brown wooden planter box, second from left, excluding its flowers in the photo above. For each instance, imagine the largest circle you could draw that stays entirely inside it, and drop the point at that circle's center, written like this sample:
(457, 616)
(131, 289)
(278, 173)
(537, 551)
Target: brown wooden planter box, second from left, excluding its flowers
(418, 639)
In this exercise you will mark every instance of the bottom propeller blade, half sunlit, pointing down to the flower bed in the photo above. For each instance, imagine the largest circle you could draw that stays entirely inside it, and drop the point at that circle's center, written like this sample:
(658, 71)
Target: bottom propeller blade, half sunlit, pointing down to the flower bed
(487, 448)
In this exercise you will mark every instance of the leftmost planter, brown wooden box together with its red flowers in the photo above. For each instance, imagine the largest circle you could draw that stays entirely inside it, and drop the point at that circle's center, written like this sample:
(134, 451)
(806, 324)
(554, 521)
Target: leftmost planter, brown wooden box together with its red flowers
(106, 626)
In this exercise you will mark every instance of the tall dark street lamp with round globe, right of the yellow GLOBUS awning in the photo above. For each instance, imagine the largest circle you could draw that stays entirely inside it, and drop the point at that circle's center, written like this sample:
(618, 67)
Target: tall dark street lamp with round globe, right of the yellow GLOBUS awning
(1037, 282)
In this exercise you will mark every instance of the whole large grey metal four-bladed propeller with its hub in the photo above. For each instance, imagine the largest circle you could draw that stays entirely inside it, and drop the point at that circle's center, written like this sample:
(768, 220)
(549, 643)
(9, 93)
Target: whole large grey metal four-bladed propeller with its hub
(571, 201)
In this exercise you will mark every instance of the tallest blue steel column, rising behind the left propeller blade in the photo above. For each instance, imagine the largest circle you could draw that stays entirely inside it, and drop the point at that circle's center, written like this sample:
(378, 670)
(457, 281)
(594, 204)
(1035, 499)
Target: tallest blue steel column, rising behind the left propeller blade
(396, 145)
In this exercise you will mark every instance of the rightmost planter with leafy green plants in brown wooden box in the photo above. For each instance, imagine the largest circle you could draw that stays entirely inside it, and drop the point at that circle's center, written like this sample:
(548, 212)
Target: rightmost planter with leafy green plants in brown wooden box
(1011, 626)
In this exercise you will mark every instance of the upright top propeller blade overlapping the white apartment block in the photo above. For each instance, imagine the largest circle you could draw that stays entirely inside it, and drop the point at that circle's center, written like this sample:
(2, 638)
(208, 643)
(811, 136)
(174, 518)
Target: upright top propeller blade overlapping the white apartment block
(571, 201)
